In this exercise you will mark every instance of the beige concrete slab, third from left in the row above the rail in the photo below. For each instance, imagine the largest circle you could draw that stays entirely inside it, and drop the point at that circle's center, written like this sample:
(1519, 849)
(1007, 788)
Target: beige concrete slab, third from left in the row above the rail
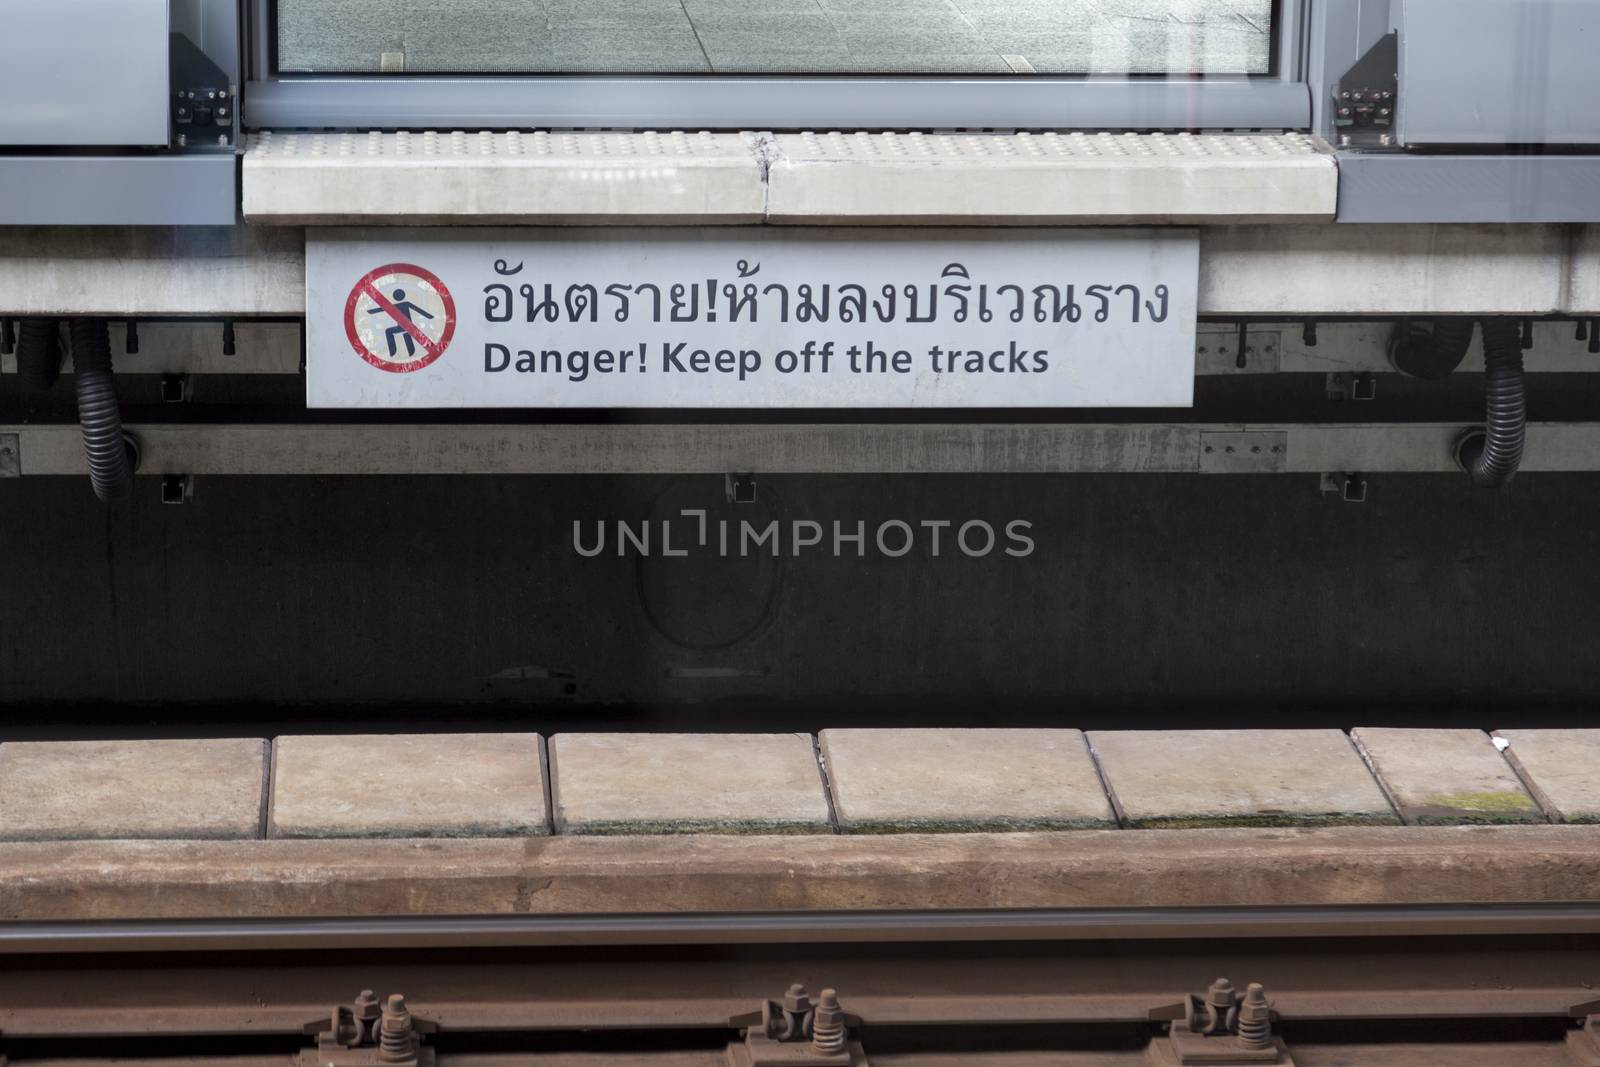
(687, 785)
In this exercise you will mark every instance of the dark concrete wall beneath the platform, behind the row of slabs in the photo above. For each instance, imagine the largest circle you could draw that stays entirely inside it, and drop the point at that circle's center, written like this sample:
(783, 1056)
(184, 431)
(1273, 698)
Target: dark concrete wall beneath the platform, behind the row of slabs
(1145, 597)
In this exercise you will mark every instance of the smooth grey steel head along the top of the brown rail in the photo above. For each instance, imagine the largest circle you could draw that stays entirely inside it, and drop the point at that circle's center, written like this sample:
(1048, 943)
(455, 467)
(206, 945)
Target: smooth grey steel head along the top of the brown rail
(754, 929)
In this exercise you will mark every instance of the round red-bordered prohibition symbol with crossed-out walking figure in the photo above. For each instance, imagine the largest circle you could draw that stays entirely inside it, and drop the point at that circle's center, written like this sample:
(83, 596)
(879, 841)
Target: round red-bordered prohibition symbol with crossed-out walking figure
(401, 318)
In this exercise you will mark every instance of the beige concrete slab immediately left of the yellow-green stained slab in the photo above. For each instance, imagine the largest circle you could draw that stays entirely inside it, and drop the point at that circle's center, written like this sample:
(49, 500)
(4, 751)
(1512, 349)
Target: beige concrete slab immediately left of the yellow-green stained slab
(1198, 778)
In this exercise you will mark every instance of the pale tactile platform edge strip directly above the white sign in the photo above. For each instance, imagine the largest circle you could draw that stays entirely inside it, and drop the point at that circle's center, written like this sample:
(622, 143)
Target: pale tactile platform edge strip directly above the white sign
(801, 178)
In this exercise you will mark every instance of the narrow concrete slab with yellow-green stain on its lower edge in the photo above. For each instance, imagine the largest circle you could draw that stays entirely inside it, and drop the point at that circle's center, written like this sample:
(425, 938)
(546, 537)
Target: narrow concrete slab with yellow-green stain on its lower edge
(1446, 777)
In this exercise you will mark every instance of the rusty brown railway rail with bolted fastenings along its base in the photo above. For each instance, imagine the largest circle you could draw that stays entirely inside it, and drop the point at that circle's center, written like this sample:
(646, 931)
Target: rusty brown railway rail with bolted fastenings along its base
(1343, 986)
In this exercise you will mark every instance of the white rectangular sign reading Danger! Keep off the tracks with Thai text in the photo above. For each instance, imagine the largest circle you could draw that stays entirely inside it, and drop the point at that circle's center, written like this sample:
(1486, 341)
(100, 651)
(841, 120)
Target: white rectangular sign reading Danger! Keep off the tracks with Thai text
(751, 318)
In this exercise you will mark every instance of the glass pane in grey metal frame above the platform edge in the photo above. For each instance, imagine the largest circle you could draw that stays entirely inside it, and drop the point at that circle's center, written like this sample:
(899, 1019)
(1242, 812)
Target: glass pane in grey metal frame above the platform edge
(775, 36)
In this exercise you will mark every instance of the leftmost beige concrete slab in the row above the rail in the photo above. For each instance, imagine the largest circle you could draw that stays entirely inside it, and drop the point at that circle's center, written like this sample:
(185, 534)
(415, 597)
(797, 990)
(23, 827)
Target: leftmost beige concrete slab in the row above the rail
(132, 789)
